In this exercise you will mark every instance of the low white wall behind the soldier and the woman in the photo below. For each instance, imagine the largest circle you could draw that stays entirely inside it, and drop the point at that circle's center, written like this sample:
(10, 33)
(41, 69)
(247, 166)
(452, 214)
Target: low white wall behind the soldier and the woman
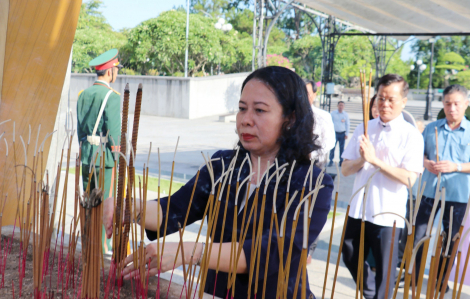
(174, 96)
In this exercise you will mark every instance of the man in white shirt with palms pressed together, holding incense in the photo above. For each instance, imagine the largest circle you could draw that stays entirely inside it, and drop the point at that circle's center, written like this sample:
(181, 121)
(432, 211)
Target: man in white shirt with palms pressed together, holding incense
(396, 147)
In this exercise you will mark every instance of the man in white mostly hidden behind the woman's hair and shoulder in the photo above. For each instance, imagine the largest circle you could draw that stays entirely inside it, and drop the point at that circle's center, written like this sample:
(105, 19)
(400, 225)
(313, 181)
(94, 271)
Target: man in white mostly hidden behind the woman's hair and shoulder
(323, 127)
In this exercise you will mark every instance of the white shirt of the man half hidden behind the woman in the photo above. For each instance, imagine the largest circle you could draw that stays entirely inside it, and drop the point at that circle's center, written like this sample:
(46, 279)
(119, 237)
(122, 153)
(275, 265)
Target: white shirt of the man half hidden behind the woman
(325, 130)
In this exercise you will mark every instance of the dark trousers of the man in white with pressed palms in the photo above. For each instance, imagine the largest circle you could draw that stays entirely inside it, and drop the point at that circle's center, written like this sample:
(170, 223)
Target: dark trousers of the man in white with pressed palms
(377, 238)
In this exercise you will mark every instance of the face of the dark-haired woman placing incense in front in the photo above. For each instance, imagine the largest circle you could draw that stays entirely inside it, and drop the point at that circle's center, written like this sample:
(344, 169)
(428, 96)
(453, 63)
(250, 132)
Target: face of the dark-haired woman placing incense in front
(259, 119)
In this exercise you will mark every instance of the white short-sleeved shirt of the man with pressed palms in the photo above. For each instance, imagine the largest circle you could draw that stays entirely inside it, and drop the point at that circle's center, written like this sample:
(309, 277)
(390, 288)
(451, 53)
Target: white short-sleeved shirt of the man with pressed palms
(397, 143)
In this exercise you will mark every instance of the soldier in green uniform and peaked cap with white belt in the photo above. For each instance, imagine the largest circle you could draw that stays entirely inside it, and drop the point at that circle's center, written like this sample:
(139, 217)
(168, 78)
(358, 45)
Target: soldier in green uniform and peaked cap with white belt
(99, 113)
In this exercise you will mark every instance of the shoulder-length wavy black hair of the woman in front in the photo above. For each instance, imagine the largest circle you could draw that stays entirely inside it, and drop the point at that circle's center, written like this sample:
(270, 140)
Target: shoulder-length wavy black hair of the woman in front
(297, 141)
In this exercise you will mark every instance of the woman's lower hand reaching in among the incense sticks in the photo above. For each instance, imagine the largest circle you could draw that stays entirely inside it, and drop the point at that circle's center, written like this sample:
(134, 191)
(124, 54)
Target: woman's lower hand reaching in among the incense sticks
(167, 259)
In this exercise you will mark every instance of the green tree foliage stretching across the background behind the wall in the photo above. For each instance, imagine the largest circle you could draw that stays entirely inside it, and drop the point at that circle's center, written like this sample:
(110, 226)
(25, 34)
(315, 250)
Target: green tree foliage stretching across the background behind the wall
(157, 46)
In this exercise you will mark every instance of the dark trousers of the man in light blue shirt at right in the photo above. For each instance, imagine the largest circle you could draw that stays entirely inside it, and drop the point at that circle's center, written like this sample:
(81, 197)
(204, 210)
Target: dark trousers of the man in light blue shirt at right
(422, 219)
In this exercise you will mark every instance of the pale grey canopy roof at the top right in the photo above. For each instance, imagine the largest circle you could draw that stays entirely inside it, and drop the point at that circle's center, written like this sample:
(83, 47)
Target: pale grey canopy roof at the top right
(436, 17)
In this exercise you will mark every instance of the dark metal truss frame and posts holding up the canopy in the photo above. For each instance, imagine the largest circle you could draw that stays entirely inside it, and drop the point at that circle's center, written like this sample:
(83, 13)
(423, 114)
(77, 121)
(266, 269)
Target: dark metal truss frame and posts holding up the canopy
(330, 34)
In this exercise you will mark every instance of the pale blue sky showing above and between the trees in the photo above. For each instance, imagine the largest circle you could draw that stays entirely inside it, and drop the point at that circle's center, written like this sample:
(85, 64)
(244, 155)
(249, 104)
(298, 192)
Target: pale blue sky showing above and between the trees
(127, 14)
